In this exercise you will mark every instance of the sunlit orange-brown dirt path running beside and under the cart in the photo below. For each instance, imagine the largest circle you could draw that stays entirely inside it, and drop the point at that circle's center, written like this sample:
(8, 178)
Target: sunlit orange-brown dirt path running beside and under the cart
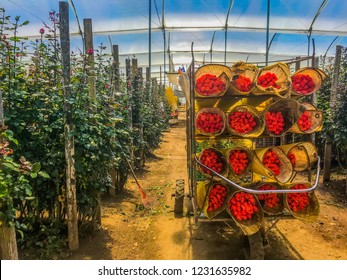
(130, 232)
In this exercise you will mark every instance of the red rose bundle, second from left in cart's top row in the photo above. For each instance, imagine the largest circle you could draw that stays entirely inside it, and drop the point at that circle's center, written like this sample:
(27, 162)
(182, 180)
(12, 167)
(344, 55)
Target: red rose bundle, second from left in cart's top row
(243, 77)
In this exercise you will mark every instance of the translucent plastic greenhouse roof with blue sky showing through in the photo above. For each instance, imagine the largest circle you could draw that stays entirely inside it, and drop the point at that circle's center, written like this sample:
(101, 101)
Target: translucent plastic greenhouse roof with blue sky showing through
(126, 23)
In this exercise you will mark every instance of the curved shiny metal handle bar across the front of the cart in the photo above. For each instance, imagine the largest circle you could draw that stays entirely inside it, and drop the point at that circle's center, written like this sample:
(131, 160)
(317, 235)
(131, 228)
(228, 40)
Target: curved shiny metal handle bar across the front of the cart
(264, 191)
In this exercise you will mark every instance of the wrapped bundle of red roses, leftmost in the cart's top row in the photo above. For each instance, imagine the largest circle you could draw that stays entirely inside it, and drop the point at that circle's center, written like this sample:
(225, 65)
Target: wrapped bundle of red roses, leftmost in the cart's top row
(212, 80)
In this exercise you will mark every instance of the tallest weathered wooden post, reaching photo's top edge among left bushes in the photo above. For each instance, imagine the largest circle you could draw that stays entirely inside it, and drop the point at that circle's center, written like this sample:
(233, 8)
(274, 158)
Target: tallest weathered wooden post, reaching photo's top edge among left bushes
(68, 126)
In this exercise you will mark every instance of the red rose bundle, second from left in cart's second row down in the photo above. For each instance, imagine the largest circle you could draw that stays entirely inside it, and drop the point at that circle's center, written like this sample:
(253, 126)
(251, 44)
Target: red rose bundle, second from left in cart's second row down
(245, 121)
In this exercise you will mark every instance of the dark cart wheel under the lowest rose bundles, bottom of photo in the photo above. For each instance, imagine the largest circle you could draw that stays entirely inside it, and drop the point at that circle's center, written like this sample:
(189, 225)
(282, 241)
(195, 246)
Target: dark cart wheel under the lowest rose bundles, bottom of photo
(254, 247)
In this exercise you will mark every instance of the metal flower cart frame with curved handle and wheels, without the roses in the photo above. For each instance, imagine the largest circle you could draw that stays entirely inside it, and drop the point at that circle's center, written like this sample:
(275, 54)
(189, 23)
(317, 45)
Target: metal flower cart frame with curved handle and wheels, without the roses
(253, 244)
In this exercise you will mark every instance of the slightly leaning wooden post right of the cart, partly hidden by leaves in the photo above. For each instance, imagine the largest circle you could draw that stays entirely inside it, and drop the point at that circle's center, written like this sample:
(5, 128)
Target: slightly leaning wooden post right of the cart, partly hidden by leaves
(329, 140)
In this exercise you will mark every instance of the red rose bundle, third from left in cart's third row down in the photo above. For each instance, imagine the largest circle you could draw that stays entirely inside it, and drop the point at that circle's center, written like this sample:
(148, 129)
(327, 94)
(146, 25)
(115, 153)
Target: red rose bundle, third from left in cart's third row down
(273, 163)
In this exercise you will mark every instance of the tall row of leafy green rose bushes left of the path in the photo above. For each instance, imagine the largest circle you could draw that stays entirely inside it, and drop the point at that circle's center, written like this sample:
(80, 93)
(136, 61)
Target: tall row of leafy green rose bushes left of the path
(33, 198)
